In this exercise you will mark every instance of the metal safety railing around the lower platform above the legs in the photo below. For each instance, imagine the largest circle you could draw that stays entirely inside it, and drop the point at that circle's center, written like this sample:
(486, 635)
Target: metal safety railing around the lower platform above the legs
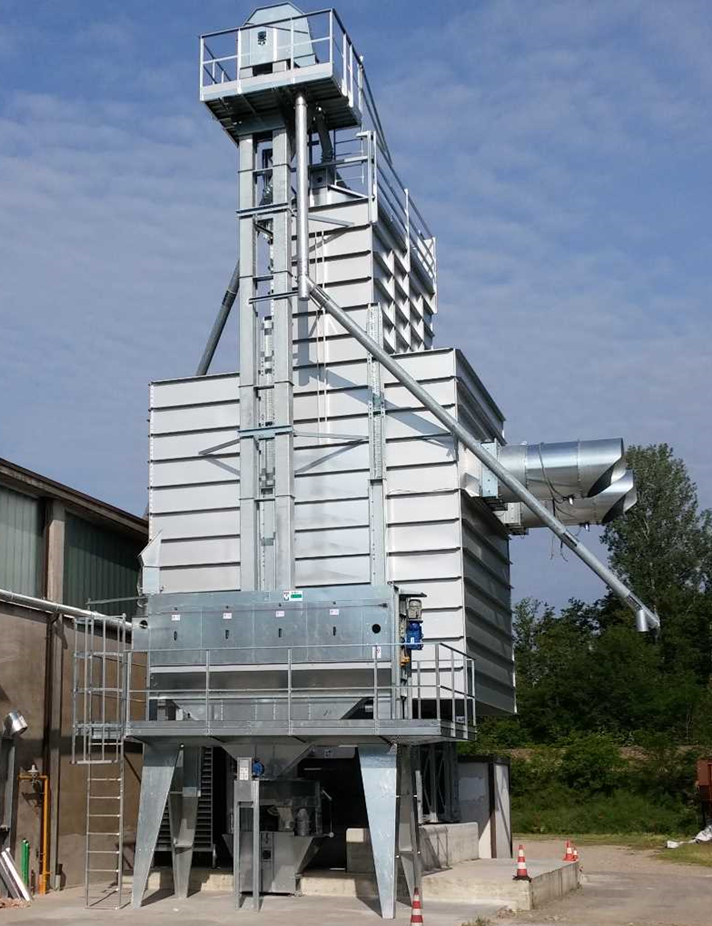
(439, 685)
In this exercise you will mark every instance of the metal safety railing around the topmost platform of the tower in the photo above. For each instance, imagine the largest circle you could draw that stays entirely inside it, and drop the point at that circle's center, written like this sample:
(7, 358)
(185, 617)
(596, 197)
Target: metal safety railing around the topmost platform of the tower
(236, 56)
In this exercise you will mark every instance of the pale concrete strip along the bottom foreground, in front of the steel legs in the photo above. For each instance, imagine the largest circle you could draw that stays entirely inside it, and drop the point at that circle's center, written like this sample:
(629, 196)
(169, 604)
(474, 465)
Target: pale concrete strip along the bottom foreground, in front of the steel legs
(216, 909)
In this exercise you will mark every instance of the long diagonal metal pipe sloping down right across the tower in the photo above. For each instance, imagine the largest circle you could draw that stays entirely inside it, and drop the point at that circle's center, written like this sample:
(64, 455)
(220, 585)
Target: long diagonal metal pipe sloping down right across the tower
(645, 618)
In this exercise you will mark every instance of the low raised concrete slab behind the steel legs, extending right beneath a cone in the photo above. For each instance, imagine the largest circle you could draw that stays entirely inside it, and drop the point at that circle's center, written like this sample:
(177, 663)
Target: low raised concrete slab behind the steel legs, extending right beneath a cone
(485, 881)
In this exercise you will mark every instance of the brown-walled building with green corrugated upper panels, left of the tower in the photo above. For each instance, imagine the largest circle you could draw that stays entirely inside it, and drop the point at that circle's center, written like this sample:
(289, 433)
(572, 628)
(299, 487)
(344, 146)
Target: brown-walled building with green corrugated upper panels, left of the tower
(59, 545)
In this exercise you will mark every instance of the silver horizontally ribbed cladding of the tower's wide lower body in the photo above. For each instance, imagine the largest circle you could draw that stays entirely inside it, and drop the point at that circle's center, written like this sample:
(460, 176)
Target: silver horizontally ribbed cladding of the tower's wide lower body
(439, 541)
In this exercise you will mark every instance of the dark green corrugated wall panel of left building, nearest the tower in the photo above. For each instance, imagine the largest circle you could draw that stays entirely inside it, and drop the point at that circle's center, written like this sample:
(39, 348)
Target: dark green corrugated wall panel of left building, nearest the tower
(98, 564)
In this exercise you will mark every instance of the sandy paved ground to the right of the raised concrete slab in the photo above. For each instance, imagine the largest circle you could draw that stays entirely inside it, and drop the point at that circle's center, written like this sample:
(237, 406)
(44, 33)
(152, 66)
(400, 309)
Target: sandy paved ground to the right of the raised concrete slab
(626, 887)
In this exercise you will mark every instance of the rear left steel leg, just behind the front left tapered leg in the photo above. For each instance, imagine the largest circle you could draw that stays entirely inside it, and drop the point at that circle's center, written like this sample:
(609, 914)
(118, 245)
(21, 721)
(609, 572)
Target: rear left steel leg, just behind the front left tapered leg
(183, 814)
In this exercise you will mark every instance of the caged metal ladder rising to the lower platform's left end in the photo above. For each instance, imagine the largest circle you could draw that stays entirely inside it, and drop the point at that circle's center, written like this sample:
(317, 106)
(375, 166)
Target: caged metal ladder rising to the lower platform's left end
(99, 711)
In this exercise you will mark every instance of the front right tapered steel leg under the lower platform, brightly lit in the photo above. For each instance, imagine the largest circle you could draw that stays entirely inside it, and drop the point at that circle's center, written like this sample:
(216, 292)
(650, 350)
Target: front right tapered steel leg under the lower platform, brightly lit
(379, 773)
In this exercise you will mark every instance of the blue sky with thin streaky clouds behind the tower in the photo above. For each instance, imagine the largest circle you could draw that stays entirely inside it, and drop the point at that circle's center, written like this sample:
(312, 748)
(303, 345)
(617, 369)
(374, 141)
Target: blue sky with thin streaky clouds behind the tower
(559, 150)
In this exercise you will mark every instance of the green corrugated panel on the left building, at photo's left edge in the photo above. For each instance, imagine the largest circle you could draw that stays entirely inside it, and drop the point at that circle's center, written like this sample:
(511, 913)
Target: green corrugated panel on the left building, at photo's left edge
(21, 542)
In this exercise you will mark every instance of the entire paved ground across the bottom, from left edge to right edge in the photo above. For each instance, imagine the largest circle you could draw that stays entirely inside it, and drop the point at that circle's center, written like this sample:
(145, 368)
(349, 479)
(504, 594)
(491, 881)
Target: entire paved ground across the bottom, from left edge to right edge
(622, 887)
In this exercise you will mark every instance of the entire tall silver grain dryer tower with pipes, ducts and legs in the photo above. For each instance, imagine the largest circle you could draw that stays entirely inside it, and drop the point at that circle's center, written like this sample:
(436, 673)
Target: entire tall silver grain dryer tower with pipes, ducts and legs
(328, 568)
